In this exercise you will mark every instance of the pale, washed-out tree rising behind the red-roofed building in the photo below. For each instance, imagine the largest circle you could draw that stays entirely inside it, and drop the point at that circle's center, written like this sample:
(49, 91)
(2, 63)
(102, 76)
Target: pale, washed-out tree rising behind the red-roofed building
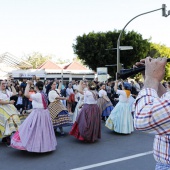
(36, 59)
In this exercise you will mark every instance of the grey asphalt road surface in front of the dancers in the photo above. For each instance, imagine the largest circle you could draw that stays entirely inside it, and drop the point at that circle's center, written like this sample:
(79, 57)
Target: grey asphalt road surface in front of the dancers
(73, 154)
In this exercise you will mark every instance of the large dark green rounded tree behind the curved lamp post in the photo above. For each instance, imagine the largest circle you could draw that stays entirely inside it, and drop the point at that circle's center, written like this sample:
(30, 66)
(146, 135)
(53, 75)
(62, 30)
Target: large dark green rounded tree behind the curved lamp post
(91, 49)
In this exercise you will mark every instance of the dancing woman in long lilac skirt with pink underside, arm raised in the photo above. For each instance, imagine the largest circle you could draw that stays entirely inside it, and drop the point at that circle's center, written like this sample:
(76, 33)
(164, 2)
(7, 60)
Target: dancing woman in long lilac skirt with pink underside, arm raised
(36, 133)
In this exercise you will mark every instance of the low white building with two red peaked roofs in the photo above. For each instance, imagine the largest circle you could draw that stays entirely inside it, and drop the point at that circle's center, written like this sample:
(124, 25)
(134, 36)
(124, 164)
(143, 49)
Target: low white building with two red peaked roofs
(49, 70)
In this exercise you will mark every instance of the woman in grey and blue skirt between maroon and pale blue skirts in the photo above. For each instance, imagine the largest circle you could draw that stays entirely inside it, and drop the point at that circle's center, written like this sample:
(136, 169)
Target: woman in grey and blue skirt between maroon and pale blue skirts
(104, 103)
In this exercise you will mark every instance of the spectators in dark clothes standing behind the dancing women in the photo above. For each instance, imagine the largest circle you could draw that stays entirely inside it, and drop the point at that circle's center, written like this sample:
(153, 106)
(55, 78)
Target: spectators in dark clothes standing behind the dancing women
(22, 103)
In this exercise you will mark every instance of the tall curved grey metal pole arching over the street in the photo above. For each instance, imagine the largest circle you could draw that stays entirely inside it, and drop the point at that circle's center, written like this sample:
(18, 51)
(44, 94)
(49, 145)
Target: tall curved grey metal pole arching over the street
(118, 41)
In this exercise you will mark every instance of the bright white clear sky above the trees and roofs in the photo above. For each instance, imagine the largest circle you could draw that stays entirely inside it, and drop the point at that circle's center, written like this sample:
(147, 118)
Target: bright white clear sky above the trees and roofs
(51, 26)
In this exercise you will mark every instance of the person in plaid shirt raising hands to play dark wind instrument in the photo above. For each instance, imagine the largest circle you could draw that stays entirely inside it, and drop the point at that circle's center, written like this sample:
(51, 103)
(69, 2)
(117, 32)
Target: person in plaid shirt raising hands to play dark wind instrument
(152, 110)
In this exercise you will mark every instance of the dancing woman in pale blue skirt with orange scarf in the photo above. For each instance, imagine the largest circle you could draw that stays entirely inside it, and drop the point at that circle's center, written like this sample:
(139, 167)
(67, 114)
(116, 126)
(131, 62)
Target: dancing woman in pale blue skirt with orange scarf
(120, 119)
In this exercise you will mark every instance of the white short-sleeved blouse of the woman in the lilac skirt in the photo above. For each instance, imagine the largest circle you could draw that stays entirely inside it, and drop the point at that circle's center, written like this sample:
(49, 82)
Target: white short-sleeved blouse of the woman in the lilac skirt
(36, 100)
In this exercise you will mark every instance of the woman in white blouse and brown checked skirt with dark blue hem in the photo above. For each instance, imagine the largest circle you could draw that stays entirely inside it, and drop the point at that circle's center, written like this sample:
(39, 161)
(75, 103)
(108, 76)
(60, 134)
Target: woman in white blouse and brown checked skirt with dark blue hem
(58, 111)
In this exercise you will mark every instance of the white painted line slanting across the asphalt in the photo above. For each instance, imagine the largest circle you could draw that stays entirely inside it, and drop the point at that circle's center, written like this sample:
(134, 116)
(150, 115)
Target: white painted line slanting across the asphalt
(114, 161)
